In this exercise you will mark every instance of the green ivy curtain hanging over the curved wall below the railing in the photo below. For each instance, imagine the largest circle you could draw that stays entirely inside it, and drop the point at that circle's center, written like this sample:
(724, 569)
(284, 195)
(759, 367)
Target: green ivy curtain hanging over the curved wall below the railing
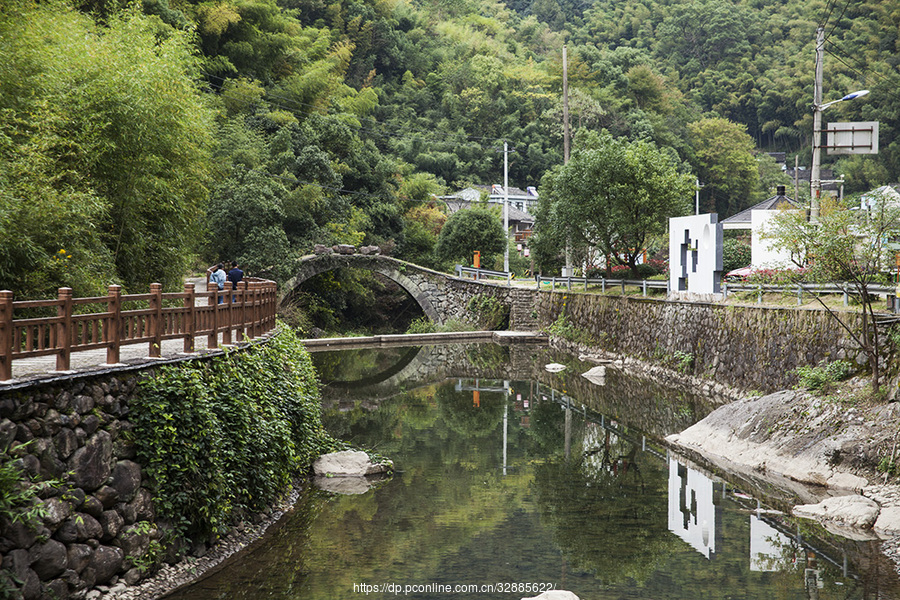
(223, 438)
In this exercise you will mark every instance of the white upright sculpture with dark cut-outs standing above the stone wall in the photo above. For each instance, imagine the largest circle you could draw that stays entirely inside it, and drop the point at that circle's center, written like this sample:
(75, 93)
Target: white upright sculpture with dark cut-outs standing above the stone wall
(695, 254)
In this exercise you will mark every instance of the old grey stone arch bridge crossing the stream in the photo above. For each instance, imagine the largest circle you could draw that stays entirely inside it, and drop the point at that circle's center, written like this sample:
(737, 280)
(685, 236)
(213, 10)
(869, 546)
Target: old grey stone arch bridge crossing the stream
(442, 297)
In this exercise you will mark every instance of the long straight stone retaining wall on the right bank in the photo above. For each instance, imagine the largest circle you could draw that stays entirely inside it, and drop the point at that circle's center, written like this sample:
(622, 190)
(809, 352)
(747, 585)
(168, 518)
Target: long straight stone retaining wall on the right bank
(754, 348)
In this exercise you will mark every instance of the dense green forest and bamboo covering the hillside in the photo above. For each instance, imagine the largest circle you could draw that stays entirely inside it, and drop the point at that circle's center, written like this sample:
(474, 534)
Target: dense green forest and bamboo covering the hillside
(140, 139)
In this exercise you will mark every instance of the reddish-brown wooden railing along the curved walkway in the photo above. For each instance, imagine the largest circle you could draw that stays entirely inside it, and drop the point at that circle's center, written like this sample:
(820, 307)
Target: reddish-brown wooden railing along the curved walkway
(244, 313)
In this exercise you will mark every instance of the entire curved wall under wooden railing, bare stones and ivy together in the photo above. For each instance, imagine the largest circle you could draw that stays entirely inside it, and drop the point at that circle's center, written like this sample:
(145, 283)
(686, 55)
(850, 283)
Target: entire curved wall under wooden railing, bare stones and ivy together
(127, 471)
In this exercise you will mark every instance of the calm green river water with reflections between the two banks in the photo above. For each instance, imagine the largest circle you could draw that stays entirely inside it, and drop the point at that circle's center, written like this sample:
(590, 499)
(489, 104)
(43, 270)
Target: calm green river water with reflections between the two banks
(511, 479)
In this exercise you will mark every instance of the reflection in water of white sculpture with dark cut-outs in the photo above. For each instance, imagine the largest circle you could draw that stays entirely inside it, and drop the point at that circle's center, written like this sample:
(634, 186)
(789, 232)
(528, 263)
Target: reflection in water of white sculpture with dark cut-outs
(692, 514)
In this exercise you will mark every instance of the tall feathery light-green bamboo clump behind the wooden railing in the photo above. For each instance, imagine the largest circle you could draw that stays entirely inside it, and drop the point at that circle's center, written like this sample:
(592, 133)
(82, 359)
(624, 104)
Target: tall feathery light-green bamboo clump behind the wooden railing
(112, 116)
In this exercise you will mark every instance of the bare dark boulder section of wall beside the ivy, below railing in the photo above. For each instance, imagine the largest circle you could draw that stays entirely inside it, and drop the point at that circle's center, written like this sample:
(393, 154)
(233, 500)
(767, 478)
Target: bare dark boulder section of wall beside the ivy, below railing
(99, 525)
